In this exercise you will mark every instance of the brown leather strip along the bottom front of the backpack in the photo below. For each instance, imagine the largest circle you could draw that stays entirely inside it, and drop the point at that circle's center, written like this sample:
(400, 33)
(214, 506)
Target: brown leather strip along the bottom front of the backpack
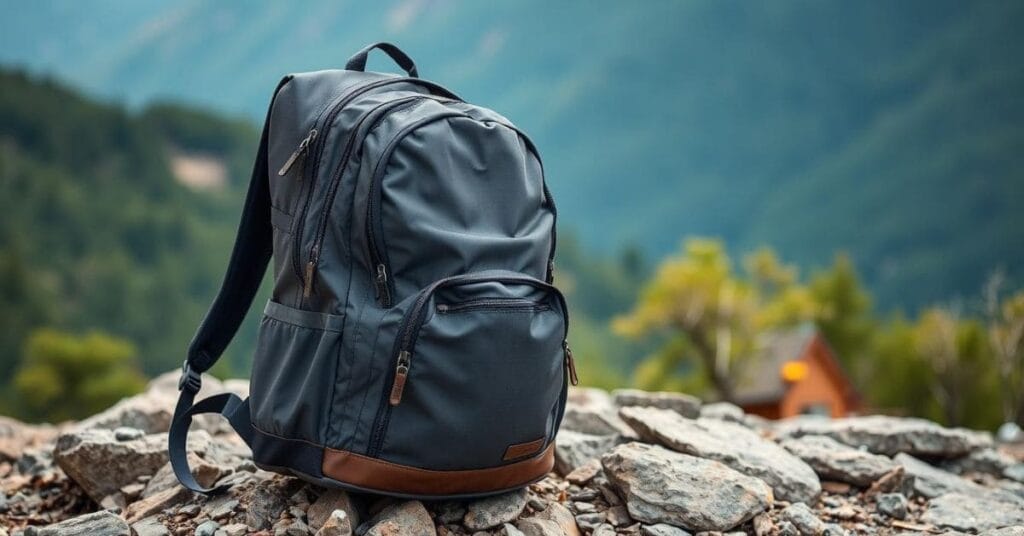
(375, 474)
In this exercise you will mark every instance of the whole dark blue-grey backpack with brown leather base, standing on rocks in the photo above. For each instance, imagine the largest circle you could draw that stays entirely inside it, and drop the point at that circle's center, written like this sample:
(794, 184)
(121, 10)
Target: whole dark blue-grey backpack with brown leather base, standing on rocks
(414, 345)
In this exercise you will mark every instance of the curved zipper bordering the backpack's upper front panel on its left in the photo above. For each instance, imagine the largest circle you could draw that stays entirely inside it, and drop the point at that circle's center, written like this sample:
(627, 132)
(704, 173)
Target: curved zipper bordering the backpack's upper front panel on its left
(383, 285)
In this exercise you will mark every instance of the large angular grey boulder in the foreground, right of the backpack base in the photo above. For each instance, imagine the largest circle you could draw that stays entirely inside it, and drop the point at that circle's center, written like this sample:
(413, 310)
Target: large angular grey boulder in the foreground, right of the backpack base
(661, 486)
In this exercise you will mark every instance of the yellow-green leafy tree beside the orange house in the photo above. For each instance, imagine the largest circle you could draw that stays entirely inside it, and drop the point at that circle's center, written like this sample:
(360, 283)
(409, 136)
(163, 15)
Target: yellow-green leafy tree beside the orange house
(710, 316)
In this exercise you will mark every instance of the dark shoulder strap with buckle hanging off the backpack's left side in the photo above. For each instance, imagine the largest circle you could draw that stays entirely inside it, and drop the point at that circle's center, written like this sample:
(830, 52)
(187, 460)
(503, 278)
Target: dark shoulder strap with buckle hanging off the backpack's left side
(250, 257)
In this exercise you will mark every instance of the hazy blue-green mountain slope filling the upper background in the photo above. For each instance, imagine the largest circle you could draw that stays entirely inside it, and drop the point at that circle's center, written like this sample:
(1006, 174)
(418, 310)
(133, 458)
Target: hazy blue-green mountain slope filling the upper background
(891, 131)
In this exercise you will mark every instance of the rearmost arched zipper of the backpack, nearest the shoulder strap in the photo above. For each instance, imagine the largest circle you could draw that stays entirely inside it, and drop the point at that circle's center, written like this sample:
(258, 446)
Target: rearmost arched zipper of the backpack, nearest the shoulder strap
(325, 121)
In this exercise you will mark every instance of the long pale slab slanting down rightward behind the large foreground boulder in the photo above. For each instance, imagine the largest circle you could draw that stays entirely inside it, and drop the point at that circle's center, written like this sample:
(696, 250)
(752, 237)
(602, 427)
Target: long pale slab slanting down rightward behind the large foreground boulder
(732, 444)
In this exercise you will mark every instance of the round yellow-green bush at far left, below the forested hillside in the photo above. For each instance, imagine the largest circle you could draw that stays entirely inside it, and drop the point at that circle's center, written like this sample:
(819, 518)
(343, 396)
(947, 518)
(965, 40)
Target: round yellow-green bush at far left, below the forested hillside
(64, 377)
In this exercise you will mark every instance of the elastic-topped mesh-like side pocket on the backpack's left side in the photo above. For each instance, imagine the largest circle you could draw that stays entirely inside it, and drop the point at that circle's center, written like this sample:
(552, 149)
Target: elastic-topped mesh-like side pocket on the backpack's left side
(293, 372)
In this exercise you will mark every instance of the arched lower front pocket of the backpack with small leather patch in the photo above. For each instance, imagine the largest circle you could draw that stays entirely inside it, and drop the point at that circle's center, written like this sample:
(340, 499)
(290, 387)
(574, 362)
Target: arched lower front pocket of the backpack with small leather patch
(479, 377)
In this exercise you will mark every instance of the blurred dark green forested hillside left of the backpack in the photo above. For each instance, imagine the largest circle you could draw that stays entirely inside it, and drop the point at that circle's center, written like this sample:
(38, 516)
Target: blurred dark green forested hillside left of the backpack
(96, 232)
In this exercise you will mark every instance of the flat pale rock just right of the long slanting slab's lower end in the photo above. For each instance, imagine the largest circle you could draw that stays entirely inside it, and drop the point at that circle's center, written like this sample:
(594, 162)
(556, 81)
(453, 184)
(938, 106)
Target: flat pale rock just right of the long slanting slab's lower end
(834, 461)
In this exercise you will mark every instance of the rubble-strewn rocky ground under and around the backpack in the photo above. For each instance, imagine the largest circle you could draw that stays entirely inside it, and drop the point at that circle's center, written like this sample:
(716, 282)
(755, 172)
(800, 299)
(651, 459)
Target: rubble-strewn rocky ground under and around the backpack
(630, 463)
